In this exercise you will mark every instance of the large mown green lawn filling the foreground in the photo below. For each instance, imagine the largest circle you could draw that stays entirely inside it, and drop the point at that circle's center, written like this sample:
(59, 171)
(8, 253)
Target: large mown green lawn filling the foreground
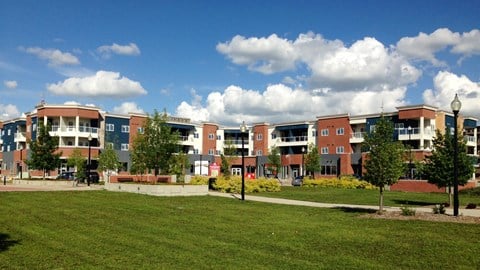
(104, 230)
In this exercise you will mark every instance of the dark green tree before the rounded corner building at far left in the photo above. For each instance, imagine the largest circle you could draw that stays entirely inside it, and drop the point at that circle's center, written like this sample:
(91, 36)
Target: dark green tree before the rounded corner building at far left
(43, 156)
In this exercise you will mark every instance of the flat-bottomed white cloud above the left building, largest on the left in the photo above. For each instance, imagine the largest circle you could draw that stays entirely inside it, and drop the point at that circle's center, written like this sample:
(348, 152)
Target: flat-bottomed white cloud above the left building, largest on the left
(102, 84)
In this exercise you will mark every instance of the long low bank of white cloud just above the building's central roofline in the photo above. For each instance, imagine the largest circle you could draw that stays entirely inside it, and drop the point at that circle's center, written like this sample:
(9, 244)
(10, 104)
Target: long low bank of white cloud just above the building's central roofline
(280, 103)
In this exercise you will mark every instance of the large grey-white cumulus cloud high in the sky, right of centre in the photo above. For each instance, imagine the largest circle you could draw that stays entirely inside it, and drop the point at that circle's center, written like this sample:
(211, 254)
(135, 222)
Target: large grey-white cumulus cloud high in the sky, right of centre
(366, 65)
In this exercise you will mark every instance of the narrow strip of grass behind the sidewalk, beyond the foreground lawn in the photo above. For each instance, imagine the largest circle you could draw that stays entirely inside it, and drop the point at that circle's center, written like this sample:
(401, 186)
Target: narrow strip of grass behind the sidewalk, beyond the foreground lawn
(368, 197)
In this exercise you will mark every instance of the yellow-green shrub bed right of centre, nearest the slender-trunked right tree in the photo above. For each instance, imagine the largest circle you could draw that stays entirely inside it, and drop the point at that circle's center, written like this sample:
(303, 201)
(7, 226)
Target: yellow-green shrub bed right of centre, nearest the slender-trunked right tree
(346, 182)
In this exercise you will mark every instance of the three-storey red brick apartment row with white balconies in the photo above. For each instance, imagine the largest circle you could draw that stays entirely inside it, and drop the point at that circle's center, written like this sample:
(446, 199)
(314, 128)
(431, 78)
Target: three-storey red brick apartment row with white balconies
(338, 138)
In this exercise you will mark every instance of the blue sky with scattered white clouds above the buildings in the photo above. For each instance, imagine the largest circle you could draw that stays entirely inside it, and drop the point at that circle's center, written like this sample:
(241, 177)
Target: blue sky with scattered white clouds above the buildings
(232, 61)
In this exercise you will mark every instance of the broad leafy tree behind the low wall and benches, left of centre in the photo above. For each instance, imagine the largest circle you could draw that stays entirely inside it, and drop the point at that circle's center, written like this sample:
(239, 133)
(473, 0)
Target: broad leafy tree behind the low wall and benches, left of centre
(155, 147)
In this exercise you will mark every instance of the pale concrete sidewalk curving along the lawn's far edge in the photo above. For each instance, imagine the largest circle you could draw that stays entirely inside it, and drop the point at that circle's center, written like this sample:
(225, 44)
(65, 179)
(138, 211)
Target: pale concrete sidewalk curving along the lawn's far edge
(449, 211)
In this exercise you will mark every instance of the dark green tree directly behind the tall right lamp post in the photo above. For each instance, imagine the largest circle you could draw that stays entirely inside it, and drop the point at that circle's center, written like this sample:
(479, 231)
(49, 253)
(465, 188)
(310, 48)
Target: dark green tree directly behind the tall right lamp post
(438, 168)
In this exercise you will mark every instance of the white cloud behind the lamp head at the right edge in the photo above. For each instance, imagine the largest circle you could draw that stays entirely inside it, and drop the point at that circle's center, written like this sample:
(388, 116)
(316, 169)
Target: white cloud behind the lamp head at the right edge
(446, 85)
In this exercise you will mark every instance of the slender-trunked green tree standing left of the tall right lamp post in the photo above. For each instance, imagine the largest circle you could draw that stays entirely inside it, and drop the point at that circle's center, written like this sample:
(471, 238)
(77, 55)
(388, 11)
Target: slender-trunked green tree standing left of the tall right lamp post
(385, 160)
